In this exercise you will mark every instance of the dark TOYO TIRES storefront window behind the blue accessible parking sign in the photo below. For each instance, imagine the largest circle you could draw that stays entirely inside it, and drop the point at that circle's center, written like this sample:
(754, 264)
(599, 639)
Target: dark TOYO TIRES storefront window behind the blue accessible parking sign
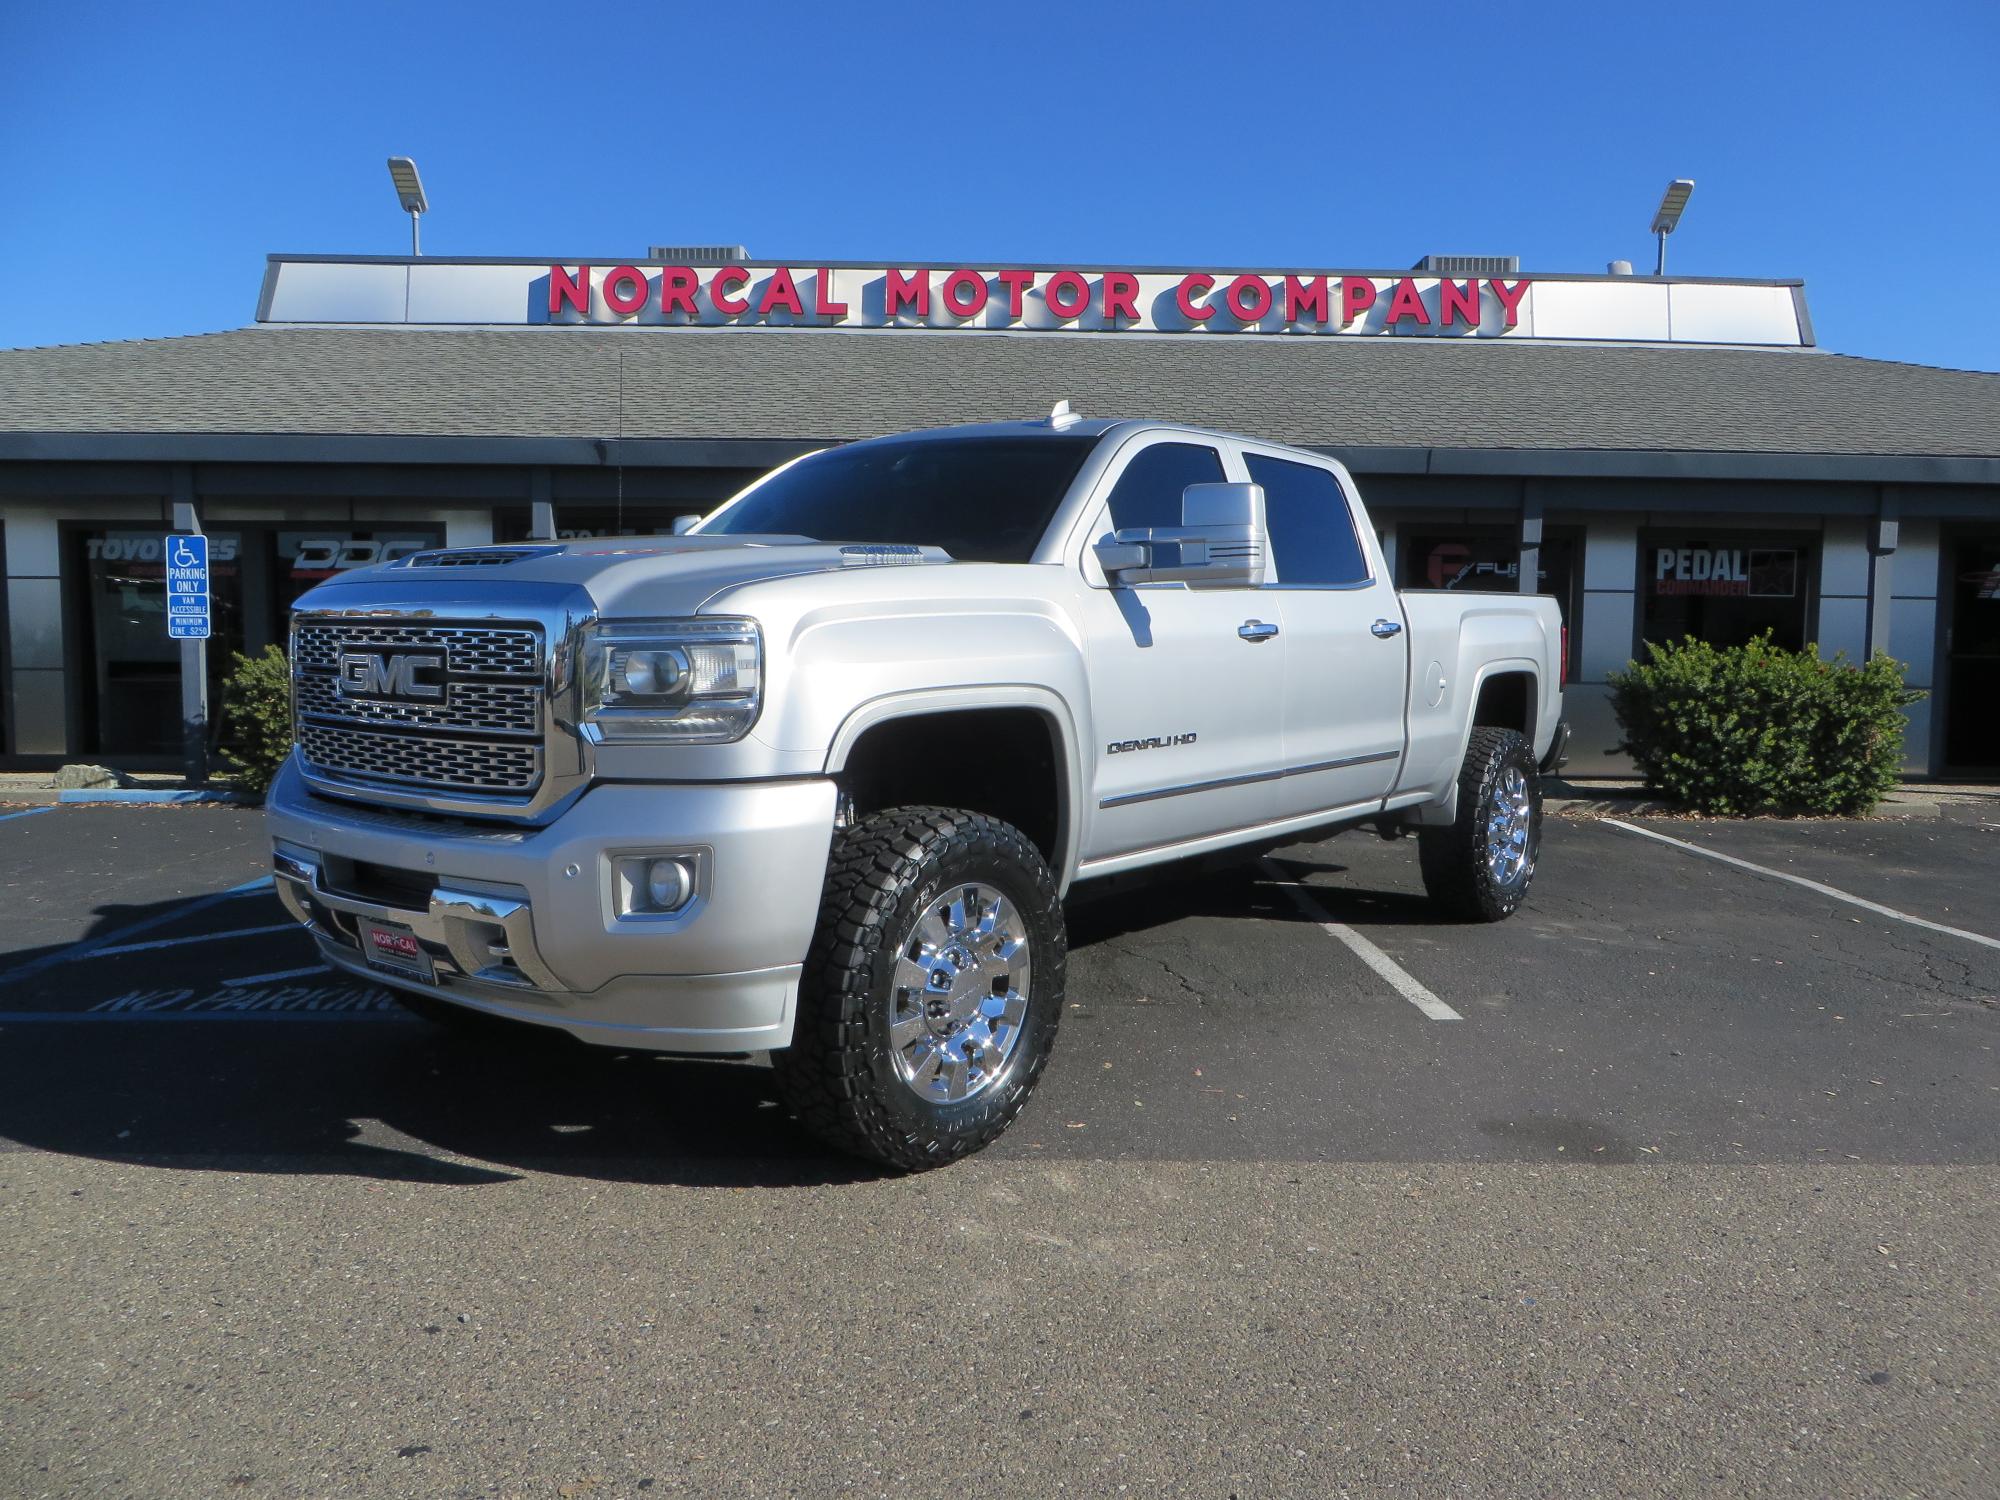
(133, 687)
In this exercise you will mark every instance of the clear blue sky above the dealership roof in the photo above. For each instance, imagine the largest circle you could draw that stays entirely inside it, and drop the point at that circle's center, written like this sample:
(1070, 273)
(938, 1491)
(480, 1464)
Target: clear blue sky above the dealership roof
(155, 153)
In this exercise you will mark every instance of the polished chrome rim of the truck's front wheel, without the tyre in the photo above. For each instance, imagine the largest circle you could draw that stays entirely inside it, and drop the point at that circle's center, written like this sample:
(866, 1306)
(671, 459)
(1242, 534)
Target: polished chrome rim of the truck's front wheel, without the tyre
(961, 995)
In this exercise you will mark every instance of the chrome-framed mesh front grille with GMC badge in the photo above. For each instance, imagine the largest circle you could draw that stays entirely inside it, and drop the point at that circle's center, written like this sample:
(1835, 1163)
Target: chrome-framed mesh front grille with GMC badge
(423, 705)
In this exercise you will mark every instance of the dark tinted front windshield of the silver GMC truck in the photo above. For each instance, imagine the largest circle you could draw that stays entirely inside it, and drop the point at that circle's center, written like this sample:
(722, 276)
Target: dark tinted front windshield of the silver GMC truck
(979, 499)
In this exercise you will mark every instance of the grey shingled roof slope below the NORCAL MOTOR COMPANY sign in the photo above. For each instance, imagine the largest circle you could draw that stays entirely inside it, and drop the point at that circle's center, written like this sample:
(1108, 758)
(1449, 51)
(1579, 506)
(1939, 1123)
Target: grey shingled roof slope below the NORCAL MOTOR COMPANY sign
(1365, 393)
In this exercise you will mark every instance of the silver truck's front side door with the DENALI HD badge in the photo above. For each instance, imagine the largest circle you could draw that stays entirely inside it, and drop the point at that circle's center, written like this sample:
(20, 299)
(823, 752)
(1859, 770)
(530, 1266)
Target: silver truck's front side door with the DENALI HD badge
(1185, 683)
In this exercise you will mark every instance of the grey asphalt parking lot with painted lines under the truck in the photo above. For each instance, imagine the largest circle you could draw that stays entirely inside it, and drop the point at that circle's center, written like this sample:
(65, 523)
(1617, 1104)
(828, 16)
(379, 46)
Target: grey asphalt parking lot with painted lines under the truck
(1679, 1183)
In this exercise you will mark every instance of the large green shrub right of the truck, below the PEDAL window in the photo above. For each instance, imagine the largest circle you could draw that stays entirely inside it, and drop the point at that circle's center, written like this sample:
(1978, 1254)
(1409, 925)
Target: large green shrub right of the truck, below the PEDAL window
(1763, 729)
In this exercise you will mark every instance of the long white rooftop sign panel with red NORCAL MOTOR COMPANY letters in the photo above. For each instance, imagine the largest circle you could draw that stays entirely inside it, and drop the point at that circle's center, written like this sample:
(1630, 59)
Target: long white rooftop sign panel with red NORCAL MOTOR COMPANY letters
(1043, 299)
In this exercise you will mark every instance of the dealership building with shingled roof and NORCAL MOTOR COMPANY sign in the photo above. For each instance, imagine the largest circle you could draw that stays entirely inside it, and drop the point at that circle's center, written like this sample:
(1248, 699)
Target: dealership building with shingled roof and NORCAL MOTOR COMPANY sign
(1667, 457)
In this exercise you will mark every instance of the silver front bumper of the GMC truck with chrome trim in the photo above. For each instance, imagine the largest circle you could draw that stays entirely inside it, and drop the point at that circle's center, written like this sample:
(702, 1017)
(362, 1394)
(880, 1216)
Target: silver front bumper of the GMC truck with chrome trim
(521, 923)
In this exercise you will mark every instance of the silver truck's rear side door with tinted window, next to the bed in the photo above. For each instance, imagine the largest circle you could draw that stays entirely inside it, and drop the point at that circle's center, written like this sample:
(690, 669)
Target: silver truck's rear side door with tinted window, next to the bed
(1347, 663)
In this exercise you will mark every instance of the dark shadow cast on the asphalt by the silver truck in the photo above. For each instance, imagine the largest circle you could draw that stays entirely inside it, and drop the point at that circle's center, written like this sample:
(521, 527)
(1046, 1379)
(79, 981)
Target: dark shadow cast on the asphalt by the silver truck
(347, 1083)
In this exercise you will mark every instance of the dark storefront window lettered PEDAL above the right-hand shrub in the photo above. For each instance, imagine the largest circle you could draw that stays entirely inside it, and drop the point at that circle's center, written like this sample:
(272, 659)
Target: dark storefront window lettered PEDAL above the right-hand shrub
(1727, 589)
